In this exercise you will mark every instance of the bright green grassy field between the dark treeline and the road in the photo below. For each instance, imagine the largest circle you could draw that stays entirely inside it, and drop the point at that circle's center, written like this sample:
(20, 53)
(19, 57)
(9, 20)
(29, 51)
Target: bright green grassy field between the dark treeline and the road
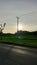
(27, 40)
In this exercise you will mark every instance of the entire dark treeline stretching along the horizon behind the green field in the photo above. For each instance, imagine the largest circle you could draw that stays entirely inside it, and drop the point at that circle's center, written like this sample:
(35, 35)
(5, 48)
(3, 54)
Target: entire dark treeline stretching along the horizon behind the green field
(20, 33)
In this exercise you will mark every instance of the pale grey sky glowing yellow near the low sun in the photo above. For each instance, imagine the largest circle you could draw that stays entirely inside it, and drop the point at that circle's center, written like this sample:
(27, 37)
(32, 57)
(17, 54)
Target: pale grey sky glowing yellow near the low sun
(26, 10)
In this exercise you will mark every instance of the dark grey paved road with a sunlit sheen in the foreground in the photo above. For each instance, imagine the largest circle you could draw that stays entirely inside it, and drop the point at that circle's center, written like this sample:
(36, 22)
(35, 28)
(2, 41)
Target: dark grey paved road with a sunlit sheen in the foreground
(17, 55)
